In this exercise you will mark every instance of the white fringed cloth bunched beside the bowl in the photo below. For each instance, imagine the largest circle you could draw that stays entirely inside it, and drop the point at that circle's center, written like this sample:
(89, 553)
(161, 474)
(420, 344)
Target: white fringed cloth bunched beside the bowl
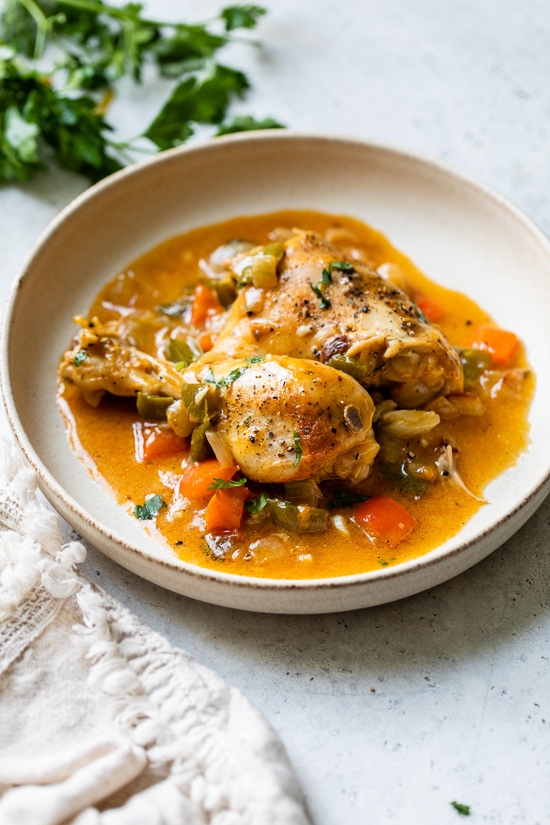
(102, 722)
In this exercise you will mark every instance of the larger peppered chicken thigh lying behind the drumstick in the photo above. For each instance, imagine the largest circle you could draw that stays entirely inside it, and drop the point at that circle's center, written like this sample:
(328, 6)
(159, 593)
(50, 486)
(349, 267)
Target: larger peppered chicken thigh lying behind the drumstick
(357, 314)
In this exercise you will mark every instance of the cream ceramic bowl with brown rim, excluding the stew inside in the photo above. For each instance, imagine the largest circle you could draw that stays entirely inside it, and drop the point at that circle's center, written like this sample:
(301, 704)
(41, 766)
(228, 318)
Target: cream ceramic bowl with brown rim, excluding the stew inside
(457, 231)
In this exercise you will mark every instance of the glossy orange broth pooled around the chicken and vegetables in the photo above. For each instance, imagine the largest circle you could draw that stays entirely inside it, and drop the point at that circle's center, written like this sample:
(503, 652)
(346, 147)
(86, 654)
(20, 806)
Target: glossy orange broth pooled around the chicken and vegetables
(103, 436)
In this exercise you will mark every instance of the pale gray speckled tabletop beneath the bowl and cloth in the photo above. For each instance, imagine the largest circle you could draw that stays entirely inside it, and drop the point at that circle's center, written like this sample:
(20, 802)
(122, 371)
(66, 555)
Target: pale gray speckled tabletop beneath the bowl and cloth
(391, 713)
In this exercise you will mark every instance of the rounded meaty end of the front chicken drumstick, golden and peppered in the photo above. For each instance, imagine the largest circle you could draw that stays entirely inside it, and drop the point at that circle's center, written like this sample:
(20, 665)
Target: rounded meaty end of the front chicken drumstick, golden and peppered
(286, 419)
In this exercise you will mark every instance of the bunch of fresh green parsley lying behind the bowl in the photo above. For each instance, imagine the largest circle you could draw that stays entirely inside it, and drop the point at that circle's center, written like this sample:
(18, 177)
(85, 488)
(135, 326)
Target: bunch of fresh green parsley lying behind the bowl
(88, 46)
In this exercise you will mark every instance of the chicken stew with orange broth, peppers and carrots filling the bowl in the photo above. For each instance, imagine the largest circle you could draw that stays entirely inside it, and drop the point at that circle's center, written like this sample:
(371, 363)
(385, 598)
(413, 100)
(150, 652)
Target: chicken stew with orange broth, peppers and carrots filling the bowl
(287, 396)
